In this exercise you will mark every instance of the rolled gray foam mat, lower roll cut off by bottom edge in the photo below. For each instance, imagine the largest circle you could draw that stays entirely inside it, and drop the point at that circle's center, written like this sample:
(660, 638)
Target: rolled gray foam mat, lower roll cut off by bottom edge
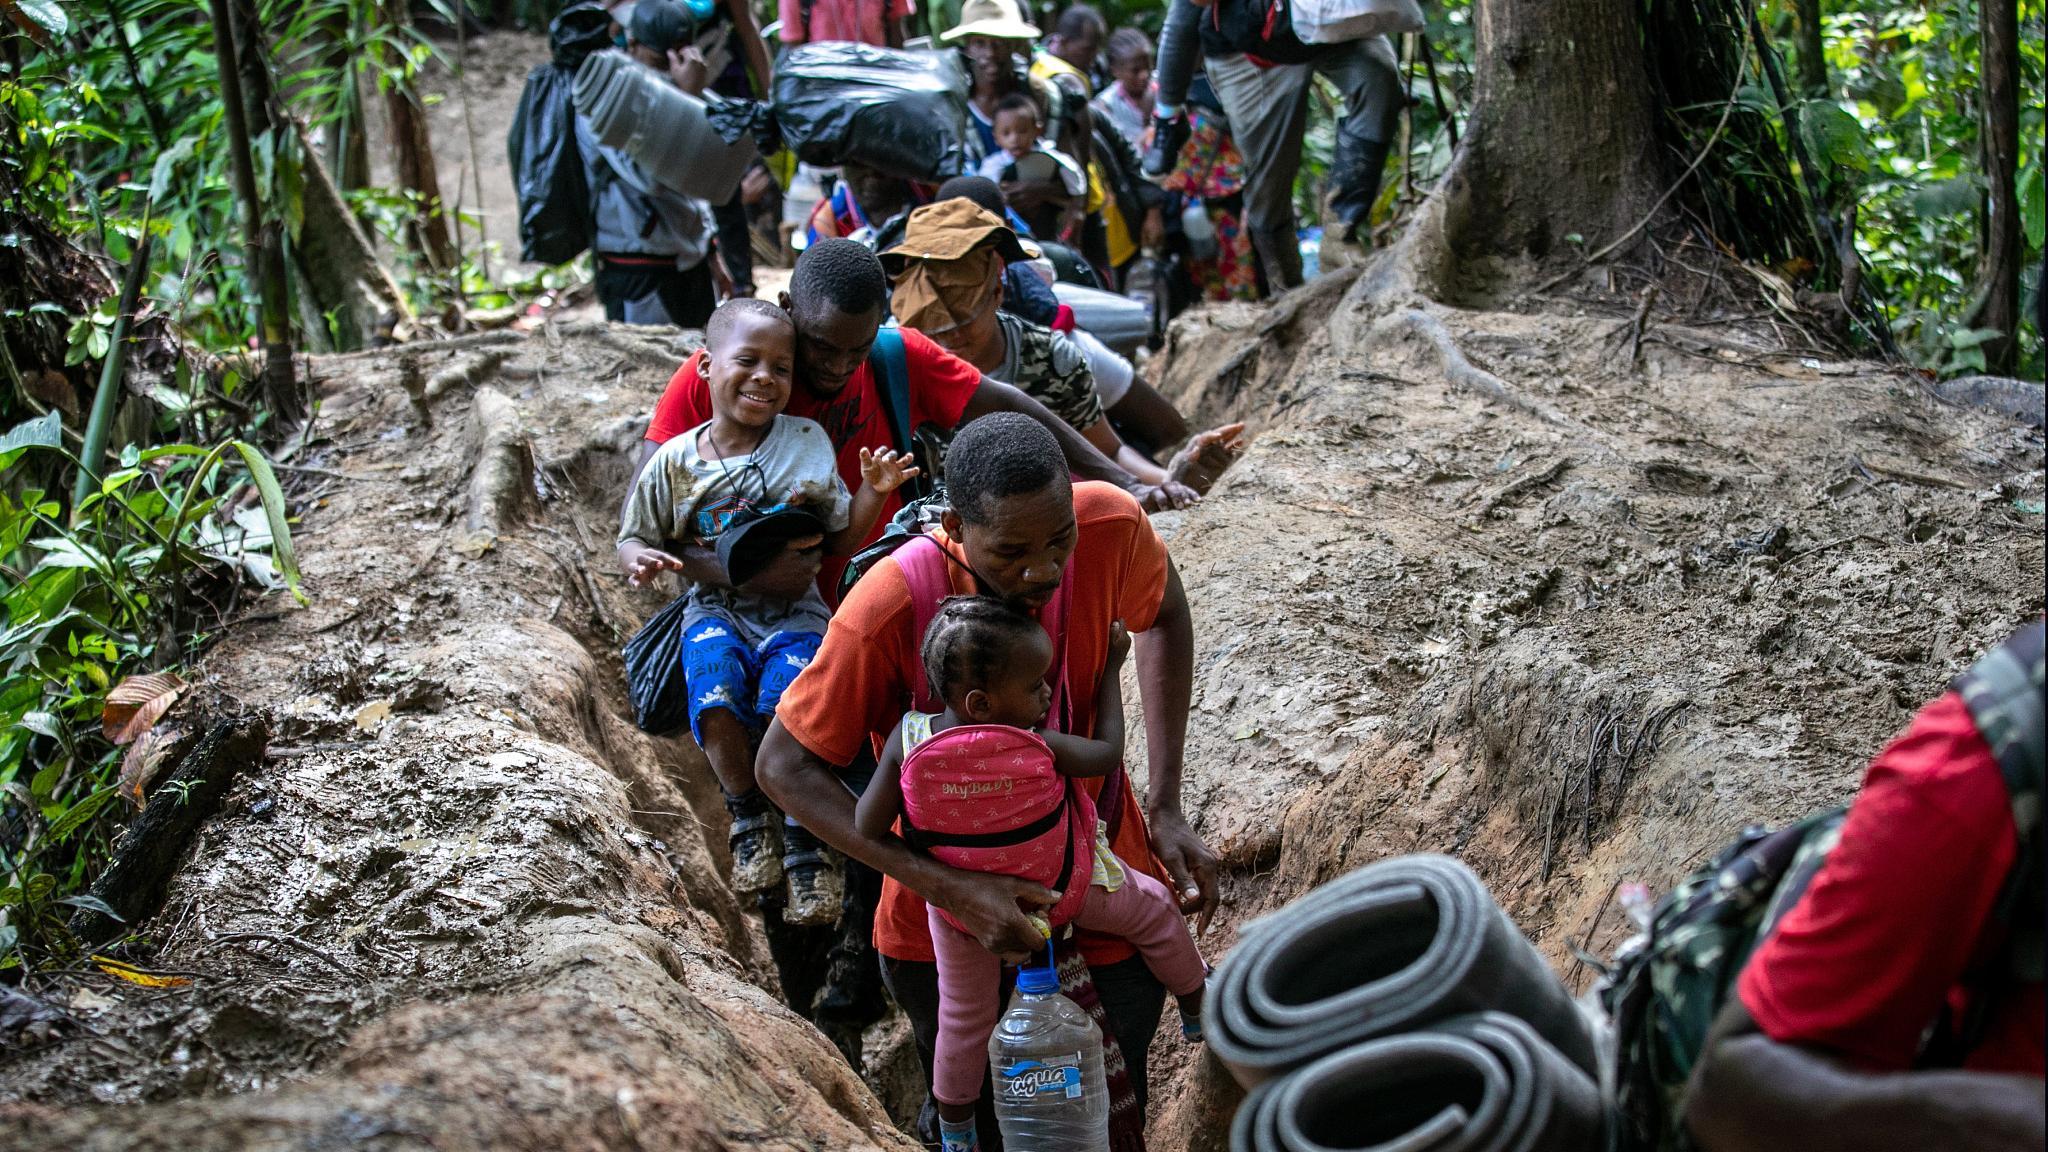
(1480, 1083)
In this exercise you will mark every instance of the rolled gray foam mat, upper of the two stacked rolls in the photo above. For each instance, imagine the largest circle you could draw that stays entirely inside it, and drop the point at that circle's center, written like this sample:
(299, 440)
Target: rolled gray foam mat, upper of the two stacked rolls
(1390, 948)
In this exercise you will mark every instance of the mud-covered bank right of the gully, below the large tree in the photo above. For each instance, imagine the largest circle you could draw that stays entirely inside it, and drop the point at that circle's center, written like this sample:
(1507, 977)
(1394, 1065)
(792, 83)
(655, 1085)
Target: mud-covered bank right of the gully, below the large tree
(1578, 634)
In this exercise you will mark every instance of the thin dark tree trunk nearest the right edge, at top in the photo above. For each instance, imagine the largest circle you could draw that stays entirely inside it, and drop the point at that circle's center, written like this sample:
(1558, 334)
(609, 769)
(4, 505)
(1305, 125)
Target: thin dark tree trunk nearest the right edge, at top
(1998, 268)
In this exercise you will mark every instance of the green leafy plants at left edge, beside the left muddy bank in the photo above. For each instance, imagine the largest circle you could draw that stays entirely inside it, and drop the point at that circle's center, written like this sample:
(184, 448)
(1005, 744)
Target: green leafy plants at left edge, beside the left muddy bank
(128, 583)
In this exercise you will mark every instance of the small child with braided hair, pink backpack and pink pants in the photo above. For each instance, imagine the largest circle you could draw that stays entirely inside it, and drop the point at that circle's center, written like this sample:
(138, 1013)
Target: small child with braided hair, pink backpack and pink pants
(984, 786)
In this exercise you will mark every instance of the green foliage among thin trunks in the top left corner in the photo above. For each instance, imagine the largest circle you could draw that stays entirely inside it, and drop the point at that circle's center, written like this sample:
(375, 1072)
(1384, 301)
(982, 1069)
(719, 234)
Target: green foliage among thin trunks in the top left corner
(89, 157)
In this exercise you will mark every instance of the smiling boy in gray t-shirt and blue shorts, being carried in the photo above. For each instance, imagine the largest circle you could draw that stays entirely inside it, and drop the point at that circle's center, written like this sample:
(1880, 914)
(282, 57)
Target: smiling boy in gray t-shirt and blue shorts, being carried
(742, 647)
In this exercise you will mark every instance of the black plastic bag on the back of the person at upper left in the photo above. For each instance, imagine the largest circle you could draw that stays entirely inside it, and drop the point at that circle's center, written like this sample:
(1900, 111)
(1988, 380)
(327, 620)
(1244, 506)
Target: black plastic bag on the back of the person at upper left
(554, 194)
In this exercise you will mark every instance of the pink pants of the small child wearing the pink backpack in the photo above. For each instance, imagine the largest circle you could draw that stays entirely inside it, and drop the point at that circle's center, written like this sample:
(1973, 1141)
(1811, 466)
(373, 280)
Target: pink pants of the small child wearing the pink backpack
(970, 977)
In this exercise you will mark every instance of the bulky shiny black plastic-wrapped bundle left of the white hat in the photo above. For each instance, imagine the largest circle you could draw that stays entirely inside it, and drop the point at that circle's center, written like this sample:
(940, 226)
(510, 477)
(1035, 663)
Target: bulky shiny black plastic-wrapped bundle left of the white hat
(896, 112)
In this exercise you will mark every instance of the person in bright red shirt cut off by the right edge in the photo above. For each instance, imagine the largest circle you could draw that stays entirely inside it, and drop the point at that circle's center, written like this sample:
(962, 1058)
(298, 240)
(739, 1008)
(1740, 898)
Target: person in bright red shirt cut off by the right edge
(1900, 1003)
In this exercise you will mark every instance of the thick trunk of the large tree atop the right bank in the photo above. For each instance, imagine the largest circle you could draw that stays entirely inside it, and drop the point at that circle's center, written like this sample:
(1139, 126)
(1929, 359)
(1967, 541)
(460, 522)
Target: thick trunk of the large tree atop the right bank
(1537, 167)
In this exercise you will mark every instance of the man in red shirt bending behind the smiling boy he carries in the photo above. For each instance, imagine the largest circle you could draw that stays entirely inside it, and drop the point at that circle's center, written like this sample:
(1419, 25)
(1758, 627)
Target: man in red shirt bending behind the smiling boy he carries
(839, 298)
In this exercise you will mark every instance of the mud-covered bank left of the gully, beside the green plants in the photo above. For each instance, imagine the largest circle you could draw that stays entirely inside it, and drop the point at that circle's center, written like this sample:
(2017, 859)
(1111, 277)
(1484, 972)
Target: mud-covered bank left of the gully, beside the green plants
(462, 903)
